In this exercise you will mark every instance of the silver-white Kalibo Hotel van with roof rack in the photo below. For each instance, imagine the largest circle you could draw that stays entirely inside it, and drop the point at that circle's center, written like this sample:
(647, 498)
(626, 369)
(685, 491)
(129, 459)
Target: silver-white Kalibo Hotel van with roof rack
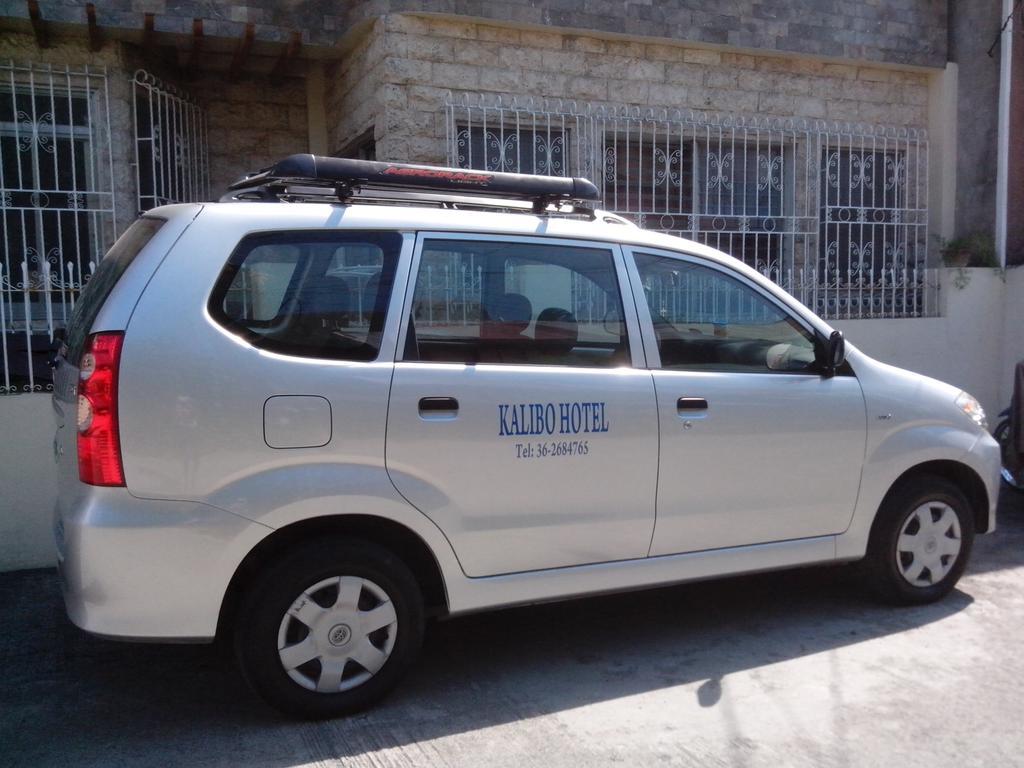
(358, 395)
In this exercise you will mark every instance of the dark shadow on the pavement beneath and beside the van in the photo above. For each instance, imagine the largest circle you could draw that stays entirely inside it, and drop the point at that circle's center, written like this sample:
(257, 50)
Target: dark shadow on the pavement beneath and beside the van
(73, 700)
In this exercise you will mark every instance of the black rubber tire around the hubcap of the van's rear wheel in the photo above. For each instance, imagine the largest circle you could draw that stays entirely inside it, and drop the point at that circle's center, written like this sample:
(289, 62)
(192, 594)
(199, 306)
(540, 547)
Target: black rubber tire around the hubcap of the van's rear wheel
(261, 621)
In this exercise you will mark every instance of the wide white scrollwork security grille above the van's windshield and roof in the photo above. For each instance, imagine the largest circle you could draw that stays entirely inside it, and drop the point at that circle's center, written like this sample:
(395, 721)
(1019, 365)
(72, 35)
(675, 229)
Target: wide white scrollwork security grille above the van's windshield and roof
(837, 215)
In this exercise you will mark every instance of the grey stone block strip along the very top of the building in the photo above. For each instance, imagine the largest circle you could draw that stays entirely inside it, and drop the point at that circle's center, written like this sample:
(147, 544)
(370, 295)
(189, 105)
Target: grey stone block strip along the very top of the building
(907, 32)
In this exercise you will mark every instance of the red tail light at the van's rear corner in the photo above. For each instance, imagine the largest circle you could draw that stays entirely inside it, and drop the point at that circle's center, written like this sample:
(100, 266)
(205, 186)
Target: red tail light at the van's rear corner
(99, 438)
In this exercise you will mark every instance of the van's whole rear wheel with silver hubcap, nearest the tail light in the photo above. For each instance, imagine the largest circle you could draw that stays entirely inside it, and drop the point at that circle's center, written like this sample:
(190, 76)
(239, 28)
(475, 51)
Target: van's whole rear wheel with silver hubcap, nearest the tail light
(329, 629)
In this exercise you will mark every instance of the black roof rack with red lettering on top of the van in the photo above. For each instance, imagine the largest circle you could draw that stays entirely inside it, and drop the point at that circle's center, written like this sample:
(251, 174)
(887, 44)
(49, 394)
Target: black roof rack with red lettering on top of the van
(313, 178)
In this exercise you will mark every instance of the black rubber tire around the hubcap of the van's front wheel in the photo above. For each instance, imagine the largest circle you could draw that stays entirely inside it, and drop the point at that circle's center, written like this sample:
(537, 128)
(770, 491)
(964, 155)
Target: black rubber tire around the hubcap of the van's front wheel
(888, 570)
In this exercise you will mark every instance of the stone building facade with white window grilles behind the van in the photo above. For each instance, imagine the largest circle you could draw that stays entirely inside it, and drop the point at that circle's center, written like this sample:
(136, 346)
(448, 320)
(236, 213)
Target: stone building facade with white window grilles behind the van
(834, 145)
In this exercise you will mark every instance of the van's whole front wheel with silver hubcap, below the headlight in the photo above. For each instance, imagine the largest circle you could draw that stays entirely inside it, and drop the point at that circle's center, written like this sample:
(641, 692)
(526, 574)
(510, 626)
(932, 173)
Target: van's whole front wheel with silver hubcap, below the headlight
(921, 541)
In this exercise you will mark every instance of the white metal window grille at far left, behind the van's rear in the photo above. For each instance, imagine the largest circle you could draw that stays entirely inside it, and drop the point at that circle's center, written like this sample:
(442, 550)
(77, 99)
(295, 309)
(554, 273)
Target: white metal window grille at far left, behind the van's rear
(57, 203)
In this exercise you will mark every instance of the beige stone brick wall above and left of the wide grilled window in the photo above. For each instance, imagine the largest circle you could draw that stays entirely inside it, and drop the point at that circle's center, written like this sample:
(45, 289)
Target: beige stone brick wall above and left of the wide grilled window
(424, 58)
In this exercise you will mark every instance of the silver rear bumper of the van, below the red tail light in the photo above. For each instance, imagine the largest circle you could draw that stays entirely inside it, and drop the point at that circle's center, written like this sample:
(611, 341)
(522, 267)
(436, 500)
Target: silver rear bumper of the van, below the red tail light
(148, 570)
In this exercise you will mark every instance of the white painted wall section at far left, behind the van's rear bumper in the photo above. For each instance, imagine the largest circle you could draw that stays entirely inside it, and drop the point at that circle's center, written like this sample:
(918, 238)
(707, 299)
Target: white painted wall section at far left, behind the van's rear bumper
(28, 482)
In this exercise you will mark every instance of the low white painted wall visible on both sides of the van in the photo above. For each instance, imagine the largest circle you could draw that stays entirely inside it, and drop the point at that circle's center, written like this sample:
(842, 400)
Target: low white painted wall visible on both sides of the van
(973, 346)
